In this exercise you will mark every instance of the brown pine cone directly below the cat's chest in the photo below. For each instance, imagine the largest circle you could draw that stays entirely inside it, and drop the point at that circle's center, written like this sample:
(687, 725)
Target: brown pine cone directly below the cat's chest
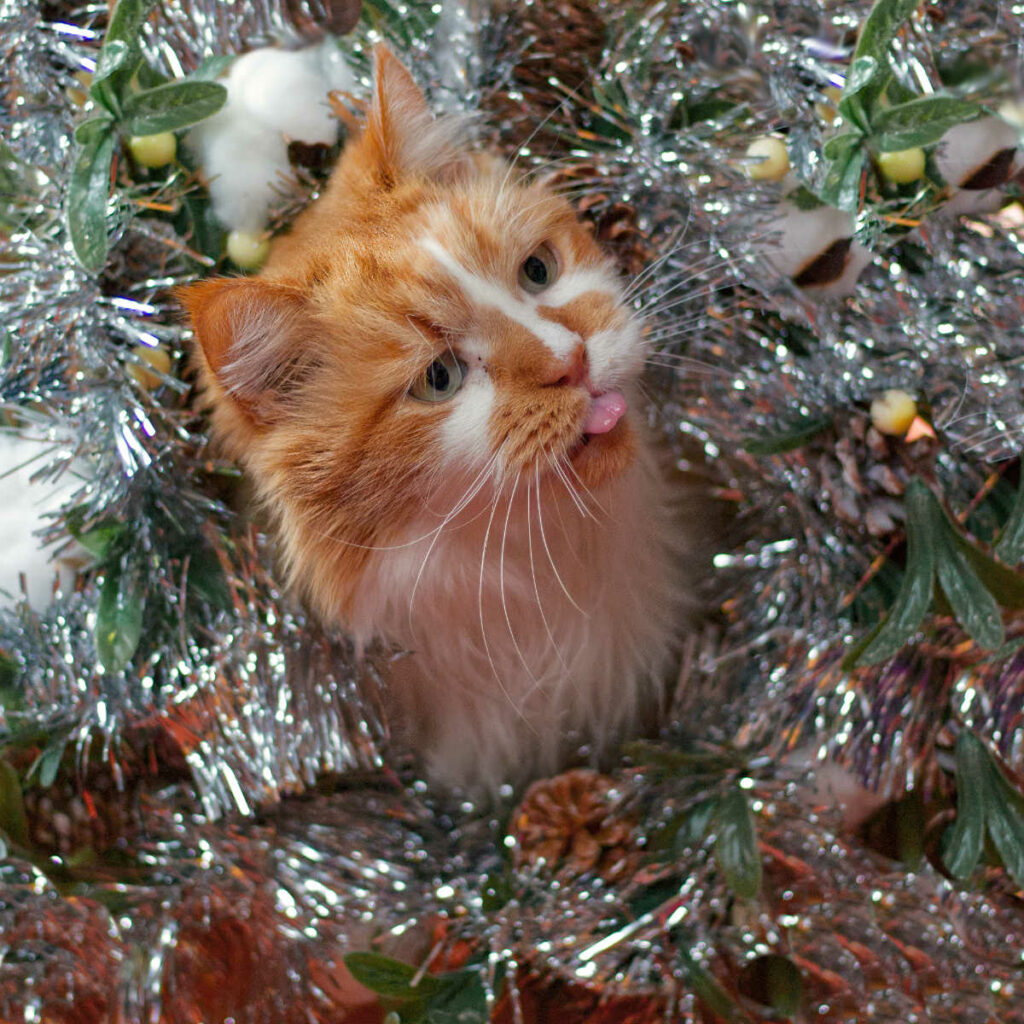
(575, 824)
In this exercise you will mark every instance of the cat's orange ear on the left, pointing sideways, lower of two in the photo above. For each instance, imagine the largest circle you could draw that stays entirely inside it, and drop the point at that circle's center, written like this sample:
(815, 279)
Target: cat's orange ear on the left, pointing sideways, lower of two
(253, 338)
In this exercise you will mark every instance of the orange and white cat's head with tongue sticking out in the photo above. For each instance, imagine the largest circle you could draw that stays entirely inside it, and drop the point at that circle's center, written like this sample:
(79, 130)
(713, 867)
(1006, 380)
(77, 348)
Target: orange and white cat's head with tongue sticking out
(431, 322)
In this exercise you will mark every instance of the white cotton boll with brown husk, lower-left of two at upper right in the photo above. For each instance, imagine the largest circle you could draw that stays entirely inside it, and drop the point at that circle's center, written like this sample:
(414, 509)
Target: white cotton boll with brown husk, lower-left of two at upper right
(796, 239)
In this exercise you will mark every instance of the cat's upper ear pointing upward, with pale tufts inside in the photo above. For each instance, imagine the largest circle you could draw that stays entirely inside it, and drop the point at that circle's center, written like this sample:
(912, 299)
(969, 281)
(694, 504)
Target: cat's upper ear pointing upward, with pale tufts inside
(402, 136)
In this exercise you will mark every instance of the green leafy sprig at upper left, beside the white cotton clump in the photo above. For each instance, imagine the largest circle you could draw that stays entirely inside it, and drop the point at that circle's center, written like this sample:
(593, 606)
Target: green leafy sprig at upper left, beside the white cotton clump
(125, 110)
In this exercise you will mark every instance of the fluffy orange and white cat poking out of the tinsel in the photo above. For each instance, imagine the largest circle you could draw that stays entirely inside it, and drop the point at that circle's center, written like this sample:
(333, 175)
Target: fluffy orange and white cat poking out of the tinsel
(434, 386)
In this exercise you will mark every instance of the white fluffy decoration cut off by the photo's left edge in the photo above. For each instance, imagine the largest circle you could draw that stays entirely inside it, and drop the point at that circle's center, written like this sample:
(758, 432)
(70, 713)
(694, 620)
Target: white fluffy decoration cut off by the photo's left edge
(22, 515)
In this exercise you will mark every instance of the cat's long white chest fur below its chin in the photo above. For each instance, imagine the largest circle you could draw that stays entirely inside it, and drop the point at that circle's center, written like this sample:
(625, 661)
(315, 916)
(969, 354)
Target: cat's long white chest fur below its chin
(534, 626)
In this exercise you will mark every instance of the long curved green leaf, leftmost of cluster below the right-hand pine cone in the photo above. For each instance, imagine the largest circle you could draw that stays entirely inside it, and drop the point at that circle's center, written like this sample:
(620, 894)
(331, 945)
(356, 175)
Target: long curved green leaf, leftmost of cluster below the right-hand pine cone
(916, 588)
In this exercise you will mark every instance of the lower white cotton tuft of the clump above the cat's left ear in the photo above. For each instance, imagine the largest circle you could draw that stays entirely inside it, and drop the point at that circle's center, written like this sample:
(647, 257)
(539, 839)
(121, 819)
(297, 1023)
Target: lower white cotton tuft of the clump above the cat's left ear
(246, 166)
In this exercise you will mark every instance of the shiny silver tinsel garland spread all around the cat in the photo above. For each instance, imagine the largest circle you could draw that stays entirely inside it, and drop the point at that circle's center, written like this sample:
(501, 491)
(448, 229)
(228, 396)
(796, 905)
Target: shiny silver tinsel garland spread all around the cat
(260, 704)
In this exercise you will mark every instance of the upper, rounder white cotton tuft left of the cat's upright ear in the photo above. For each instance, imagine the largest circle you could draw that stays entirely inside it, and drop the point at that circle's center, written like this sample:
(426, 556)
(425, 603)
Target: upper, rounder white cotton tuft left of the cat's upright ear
(285, 92)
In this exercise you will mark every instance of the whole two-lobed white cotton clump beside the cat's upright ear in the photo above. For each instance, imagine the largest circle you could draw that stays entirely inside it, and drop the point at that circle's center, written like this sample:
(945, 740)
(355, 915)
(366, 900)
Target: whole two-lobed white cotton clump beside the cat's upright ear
(274, 97)
